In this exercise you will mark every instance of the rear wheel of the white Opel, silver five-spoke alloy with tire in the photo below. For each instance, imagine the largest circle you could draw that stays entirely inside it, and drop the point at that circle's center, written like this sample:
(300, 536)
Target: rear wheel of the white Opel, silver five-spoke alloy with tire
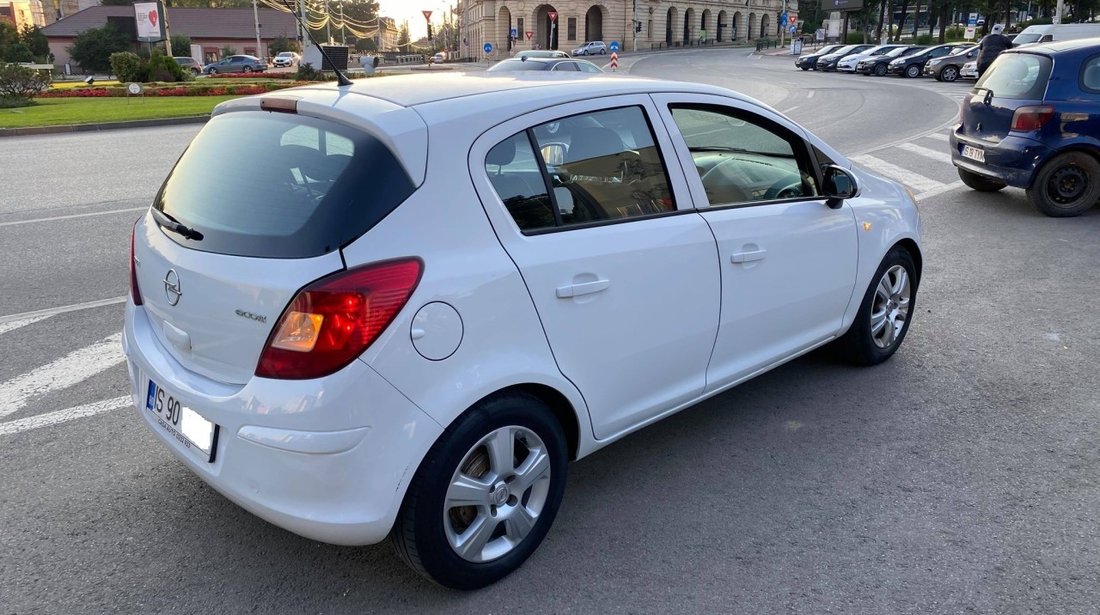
(486, 496)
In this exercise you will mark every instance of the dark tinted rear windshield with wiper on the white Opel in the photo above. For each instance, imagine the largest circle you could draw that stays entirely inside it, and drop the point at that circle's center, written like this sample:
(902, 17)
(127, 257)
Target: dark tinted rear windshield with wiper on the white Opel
(280, 185)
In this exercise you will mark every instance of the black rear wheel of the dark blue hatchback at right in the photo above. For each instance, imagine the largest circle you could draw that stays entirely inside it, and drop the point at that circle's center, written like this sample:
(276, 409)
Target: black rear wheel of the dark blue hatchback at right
(1069, 185)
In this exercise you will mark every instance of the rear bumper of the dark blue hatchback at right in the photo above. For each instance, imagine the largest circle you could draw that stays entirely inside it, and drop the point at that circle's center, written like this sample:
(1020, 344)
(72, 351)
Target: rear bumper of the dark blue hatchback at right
(1013, 162)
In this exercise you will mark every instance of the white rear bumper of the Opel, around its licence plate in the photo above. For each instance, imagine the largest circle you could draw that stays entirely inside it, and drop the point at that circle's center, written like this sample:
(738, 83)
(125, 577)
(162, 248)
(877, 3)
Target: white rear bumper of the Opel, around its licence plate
(328, 459)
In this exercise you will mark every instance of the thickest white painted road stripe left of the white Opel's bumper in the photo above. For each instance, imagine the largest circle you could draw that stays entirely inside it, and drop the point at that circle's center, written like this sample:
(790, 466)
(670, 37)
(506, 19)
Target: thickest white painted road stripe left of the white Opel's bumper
(72, 369)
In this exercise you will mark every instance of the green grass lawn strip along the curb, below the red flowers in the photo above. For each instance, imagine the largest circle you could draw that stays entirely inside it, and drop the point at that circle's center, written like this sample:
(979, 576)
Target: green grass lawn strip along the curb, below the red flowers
(62, 112)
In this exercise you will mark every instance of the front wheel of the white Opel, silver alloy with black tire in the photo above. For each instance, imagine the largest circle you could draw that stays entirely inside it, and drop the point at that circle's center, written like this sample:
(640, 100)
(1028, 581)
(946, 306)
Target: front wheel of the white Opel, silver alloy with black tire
(886, 313)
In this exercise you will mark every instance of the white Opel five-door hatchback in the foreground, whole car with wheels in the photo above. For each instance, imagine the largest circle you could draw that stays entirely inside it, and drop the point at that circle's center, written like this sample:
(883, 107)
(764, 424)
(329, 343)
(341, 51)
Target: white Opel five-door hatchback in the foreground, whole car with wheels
(360, 334)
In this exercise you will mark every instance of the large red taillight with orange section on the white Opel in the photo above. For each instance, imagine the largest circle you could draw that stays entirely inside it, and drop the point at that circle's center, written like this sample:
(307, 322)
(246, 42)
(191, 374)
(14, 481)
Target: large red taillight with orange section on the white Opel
(335, 320)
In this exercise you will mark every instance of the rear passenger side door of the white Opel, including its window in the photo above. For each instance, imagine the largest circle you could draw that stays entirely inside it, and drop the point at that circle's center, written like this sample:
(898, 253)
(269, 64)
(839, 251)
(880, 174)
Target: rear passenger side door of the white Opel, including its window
(620, 267)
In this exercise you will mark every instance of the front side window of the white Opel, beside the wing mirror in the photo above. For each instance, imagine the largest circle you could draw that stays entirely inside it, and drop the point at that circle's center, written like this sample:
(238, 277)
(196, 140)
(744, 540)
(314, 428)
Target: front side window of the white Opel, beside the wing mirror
(743, 159)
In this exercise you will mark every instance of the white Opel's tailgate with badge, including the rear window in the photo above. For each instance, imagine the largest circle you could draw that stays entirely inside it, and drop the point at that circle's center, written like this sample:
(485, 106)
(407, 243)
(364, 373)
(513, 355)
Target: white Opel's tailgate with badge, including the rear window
(266, 202)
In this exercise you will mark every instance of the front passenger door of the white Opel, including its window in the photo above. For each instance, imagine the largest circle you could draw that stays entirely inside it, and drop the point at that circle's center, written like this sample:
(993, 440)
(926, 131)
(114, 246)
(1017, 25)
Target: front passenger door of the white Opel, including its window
(788, 261)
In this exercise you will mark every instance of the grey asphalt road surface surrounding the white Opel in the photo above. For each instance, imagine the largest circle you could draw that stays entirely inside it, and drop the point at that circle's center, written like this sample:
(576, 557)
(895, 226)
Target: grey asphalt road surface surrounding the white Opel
(961, 477)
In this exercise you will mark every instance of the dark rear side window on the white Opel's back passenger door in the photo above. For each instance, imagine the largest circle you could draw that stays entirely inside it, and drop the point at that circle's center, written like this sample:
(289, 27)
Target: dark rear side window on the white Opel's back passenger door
(592, 168)
